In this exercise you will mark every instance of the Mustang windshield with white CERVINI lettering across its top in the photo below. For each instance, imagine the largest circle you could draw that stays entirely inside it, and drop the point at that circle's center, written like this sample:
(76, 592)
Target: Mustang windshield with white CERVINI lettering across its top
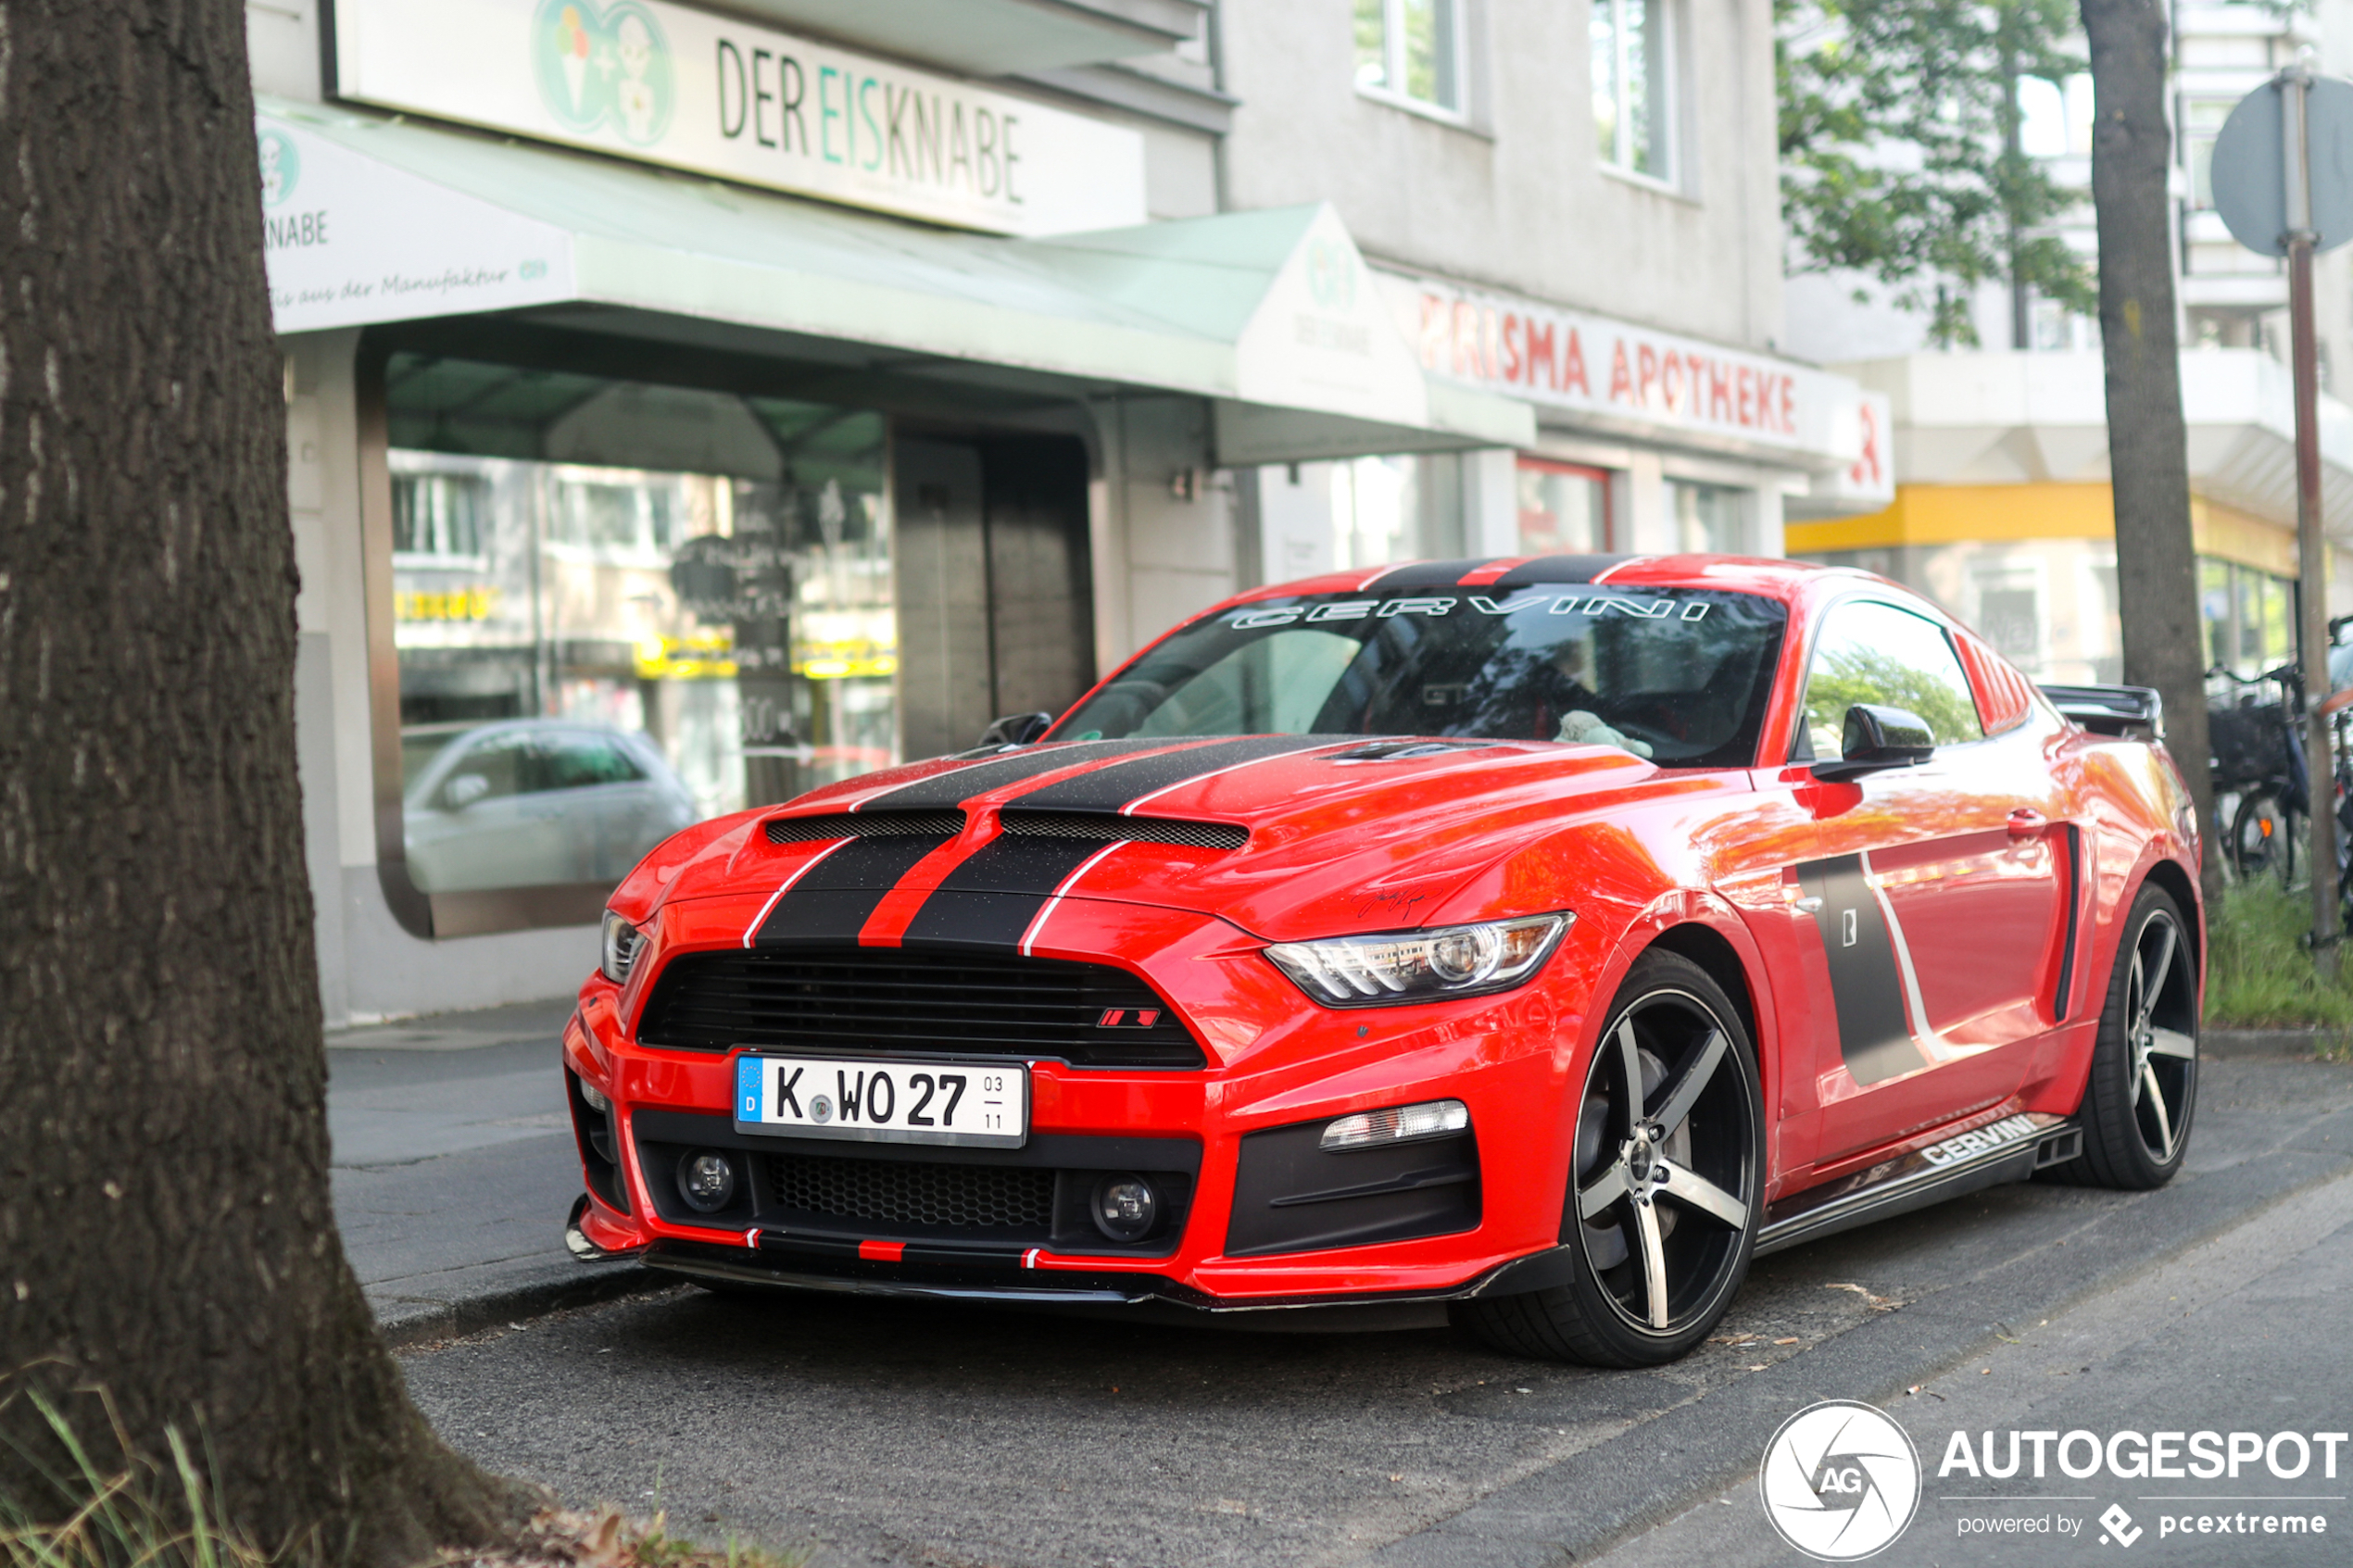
(1667, 674)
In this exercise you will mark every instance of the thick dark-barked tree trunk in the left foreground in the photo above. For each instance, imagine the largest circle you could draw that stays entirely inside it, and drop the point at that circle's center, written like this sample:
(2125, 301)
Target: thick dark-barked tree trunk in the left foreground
(166, 1228)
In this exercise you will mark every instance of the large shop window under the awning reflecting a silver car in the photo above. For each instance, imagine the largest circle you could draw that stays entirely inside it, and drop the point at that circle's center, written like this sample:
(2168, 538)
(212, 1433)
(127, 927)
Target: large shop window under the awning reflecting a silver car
(625, 608)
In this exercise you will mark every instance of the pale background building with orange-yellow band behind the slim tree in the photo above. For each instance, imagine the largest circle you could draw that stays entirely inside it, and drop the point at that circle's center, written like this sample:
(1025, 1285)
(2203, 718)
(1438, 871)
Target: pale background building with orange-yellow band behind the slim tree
(2001, 453)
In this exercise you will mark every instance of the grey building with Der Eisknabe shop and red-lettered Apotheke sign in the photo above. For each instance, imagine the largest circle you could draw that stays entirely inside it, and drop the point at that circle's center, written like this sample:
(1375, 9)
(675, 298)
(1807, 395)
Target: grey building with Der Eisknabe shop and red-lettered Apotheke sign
(693, 406)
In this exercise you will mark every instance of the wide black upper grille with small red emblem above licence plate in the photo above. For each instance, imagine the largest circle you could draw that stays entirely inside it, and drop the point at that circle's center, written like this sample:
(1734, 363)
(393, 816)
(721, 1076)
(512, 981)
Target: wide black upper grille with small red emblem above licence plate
(891, 1000)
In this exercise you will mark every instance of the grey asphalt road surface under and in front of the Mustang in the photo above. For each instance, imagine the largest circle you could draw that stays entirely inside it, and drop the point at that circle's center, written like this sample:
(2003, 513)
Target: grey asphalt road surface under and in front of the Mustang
(940, 1435)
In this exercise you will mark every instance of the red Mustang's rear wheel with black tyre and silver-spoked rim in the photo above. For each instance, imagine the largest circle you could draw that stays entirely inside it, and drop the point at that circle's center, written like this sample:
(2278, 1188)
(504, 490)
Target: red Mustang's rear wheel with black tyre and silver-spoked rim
(2142, 1092)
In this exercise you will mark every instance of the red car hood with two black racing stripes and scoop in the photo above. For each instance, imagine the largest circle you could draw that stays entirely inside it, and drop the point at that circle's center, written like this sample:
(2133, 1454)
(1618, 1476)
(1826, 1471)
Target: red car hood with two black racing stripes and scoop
(1342, 833)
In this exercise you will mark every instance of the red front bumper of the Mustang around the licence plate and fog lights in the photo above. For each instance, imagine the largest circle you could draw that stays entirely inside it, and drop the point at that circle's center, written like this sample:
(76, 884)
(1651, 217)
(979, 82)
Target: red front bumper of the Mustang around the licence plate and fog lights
(1255, 1214)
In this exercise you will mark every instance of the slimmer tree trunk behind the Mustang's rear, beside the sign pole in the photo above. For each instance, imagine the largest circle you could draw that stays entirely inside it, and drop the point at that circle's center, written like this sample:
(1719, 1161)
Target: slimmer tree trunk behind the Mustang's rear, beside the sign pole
(2157, 563)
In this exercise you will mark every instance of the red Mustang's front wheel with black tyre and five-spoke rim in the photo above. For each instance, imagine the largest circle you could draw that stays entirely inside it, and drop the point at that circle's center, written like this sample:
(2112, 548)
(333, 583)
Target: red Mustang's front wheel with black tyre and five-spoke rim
(1665, 1202)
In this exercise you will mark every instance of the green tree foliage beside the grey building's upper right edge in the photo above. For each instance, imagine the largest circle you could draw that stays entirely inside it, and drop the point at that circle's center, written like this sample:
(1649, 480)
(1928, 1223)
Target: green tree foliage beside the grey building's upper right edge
(1900, 154)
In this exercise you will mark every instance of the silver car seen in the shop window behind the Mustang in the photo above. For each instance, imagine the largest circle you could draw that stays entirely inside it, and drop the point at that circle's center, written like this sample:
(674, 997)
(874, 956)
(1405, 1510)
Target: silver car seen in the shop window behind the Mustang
(531, 803)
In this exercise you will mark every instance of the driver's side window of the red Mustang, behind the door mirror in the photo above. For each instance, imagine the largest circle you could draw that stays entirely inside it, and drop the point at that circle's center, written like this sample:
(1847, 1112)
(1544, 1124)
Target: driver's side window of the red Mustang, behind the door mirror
(1893, 659)
